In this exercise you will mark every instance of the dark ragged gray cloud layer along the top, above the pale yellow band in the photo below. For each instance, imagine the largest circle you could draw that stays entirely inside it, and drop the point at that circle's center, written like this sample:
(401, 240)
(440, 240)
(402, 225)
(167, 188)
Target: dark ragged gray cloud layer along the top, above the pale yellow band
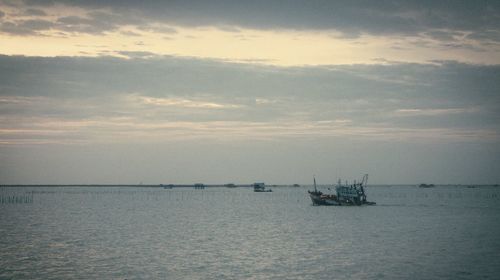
(469, 25)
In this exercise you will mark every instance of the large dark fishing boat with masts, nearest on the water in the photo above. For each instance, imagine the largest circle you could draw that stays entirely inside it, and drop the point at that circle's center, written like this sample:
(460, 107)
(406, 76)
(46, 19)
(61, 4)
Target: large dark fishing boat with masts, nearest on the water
(345, 194)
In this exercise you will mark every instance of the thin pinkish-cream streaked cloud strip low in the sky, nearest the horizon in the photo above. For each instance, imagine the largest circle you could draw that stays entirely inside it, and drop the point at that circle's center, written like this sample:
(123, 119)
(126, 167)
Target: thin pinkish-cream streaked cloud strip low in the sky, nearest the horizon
(139, 129)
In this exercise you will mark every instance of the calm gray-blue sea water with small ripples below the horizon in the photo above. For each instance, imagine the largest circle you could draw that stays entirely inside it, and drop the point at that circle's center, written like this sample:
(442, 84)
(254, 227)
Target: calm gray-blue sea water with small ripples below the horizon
(220, 233)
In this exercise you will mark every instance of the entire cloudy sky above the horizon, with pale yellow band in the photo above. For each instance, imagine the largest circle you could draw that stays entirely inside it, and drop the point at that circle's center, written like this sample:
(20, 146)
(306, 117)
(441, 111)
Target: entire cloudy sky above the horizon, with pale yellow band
(124, 92)
